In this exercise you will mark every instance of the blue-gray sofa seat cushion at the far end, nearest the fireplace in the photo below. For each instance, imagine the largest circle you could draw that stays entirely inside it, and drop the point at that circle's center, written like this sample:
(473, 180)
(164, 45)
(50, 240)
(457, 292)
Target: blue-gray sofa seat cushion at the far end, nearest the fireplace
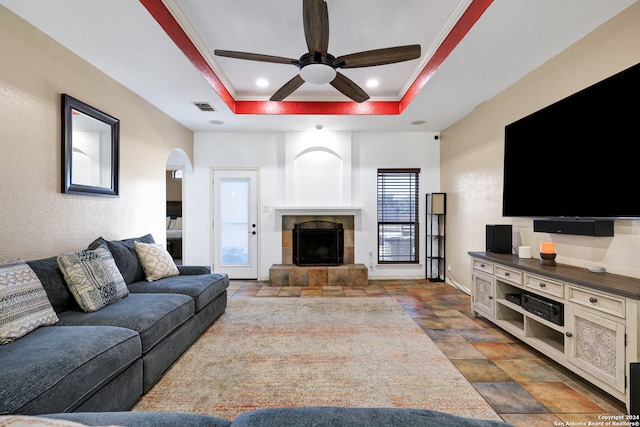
(203, 288)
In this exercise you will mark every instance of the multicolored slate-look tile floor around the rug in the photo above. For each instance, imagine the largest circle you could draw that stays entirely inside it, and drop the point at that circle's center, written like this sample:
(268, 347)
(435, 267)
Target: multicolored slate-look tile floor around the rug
(522, 385)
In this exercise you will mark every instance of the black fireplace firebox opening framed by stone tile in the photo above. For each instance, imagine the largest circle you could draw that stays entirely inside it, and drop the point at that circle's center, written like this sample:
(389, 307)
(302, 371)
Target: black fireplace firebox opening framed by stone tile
(318, 243)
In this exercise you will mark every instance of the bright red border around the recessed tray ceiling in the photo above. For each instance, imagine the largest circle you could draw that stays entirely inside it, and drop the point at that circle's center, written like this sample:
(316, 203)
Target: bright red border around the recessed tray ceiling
(167, 22)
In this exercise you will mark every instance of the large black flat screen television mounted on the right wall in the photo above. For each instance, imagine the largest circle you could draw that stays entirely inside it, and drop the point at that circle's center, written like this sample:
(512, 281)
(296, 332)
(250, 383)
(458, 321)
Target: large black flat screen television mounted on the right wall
(579, 157)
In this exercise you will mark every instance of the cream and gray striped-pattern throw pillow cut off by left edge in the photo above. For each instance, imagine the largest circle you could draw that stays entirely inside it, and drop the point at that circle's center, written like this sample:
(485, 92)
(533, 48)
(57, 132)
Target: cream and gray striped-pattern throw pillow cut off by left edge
(24, 305)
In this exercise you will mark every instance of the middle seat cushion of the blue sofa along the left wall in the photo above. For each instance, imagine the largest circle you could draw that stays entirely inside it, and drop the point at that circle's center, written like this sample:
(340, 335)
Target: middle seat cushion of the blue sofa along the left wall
(153, 316)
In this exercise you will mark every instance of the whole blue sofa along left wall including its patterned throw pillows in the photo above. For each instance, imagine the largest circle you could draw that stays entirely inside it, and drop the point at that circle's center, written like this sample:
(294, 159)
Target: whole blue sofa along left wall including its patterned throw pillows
(95, 329)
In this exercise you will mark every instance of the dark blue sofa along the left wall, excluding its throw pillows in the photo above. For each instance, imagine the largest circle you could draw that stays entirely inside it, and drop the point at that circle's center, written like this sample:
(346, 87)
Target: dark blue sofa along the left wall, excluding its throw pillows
(105, 360)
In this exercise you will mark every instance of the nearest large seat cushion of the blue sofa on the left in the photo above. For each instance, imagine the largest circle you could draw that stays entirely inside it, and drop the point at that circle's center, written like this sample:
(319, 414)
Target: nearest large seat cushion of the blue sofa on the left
(66, 365)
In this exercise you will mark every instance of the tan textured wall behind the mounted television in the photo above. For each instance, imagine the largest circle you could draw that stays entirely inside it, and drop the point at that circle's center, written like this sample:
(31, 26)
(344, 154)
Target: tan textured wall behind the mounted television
(472, 155)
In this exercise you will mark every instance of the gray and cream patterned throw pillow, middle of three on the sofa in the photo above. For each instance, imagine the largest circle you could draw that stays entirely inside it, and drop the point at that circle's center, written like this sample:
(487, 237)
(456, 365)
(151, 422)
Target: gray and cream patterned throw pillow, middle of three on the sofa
(93, 278)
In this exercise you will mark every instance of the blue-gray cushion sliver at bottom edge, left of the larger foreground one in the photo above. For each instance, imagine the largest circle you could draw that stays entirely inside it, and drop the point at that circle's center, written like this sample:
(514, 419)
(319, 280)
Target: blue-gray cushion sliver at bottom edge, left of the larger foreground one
(143, 419)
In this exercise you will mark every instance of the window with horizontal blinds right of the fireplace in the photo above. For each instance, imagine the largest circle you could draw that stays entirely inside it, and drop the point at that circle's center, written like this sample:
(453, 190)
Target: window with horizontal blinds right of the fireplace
(398, 229)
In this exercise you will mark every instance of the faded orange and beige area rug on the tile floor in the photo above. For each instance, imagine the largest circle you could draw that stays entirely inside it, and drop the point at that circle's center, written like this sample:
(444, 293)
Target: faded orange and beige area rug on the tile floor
(277, 352)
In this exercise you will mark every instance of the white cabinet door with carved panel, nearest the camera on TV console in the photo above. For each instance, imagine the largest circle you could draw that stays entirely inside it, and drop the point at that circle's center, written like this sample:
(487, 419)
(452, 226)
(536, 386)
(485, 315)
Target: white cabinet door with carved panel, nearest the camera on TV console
(596, 345)
